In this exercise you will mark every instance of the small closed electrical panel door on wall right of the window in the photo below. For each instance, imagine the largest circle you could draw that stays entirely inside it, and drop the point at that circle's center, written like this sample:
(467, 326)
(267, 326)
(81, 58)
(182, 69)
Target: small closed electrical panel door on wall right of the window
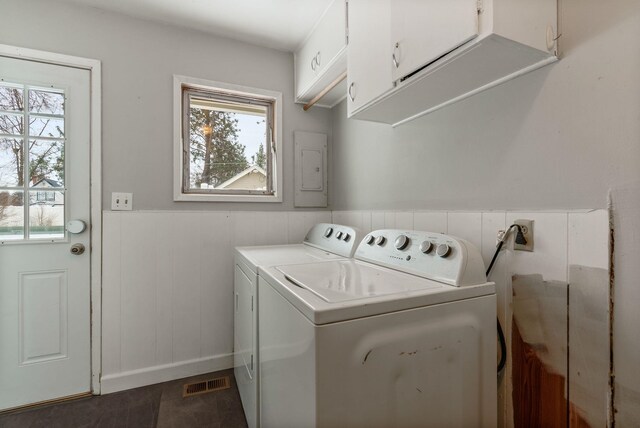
(310, 169)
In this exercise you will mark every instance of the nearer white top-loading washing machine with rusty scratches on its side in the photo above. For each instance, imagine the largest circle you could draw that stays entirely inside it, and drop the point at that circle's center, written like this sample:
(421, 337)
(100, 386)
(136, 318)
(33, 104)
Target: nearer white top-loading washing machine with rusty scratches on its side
(403, 335)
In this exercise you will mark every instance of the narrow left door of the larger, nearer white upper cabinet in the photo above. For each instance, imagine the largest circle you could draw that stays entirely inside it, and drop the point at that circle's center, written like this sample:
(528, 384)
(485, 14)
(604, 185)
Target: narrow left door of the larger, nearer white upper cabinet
(369, 72)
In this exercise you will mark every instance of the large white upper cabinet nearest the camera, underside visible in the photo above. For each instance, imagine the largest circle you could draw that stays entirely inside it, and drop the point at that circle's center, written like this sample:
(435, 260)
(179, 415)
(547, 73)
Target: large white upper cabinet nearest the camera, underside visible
(410, 57)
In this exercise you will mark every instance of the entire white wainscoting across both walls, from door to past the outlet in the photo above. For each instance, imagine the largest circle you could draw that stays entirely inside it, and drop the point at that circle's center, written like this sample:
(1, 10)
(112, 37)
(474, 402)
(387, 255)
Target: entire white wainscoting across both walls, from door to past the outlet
(168, 276)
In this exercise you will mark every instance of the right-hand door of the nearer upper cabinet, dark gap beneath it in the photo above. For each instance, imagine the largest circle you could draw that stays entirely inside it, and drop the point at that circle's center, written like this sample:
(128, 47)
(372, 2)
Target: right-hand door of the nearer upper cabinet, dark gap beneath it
(424, 30)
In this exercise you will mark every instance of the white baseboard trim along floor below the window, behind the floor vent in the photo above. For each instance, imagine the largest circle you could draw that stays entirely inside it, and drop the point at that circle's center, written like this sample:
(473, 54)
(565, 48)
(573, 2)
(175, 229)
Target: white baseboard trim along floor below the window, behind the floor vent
(163, 373)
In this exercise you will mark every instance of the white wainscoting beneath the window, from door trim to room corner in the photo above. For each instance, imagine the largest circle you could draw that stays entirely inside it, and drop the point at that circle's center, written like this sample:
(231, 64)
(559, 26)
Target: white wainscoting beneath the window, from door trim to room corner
(168, 288)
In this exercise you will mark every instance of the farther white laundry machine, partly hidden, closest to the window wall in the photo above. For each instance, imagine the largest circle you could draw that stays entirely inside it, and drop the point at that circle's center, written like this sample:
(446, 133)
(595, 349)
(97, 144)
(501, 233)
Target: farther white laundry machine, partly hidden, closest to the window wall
(324, 242)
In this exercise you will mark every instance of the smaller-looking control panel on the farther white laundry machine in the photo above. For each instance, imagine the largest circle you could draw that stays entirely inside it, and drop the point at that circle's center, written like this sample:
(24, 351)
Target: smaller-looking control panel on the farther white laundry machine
(335, 238)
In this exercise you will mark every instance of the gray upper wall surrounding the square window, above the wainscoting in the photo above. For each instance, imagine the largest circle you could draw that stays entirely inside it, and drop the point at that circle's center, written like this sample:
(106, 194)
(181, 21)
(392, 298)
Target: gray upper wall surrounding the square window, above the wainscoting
(138, 60)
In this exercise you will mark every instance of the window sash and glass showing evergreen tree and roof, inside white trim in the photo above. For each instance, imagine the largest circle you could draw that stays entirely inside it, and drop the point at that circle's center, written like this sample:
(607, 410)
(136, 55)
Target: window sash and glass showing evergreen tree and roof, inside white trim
(227, 139)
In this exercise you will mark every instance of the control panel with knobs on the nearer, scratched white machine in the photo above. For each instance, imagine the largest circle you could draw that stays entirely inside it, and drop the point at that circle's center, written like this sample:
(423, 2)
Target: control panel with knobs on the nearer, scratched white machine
(431, 255)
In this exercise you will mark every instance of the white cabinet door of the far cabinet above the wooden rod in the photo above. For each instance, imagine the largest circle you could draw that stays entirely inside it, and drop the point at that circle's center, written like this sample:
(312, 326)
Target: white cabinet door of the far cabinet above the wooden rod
(326, 41)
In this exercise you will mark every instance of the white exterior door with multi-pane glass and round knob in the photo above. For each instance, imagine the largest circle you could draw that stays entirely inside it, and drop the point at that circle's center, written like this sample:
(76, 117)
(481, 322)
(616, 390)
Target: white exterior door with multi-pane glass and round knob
(44, 183)
